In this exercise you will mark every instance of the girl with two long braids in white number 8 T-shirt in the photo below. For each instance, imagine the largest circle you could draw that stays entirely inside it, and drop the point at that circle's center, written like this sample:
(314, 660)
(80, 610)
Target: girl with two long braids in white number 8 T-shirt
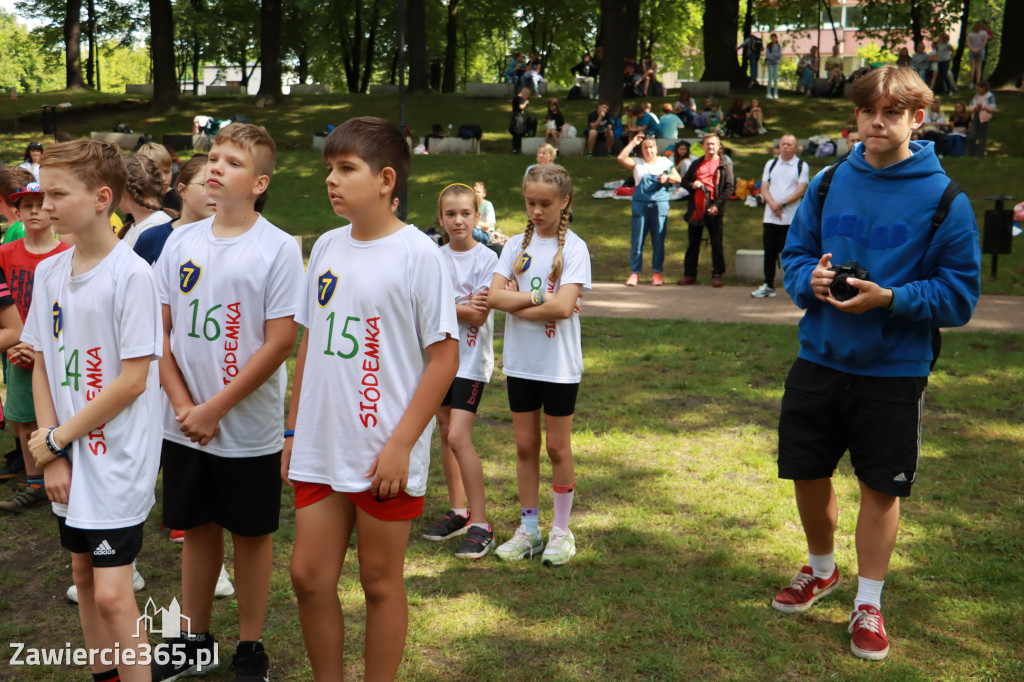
(539, 280)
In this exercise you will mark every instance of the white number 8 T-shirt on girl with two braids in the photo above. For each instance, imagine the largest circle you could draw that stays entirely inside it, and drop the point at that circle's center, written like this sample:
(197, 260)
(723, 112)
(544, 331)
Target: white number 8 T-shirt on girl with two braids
(546, 352)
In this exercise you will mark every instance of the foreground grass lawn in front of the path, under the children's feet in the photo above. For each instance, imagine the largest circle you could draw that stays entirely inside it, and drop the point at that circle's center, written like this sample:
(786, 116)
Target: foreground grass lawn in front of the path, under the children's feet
(684, 530)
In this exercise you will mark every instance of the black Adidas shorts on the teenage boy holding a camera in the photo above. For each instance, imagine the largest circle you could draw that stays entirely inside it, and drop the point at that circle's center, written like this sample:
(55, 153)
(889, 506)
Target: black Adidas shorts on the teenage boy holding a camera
(878, 419)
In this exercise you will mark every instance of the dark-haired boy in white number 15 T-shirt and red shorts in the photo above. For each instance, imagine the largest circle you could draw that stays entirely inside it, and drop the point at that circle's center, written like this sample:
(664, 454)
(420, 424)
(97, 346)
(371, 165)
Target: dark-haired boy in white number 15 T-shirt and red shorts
(379, 354)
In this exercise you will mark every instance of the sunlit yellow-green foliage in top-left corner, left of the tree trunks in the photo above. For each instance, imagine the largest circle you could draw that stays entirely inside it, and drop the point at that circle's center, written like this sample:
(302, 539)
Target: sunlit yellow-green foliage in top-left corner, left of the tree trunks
(26, 62)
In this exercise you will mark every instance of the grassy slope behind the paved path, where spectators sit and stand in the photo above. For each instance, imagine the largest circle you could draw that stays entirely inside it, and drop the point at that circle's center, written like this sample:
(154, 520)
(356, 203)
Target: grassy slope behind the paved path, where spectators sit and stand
(300, 205)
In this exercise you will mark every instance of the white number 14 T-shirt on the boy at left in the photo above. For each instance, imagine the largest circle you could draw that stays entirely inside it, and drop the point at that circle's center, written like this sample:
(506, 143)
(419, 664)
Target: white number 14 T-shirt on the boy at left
(86, 326)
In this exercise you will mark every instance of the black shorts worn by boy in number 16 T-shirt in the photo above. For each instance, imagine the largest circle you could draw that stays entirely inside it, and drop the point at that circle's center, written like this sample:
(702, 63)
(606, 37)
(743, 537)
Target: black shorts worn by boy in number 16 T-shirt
(242, 495)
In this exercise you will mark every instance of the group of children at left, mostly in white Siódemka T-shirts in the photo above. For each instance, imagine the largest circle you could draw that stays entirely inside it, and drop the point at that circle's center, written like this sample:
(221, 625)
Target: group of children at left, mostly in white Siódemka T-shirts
(185, 343)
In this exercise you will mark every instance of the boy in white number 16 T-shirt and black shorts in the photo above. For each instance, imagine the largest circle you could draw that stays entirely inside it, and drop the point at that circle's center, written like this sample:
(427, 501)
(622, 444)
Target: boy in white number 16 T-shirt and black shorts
(229, 286)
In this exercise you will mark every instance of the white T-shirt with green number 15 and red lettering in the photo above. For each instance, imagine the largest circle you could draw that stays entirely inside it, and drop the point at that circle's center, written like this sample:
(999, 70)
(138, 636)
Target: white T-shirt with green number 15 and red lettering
(371, 309)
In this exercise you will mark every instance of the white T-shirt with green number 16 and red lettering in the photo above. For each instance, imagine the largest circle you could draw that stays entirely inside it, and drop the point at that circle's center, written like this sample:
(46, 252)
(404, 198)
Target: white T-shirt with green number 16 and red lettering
(222, 292)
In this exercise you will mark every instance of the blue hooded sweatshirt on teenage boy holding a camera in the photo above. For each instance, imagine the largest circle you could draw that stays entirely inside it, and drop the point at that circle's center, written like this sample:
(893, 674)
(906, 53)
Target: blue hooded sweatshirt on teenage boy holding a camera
(882, 220)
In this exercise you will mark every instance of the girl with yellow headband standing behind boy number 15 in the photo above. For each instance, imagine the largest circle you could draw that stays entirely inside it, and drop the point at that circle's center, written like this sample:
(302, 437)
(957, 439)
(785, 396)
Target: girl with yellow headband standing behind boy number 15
(472, 266)
